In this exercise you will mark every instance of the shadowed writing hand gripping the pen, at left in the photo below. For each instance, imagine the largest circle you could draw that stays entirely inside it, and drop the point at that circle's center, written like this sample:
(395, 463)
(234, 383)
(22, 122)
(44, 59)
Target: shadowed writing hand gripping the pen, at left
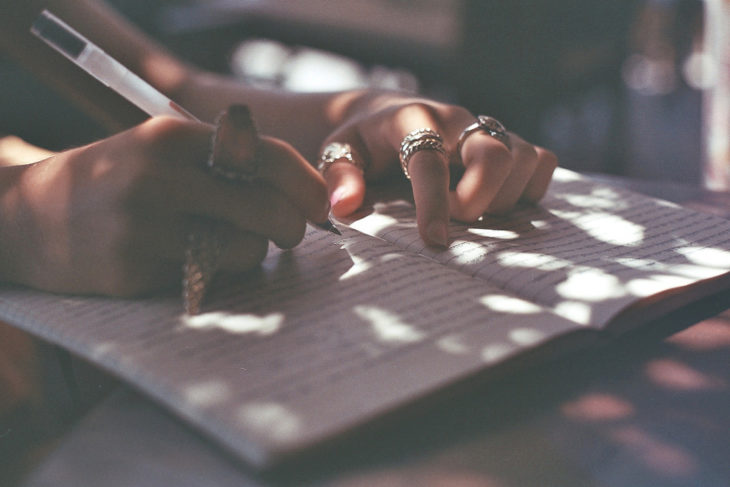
(113, 217)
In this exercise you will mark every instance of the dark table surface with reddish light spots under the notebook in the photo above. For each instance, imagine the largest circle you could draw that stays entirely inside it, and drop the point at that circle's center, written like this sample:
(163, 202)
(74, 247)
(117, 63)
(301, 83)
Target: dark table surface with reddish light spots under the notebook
(643, 411)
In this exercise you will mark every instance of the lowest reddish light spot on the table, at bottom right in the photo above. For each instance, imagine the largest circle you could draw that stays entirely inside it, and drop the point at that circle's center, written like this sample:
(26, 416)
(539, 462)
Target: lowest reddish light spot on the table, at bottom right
(663, 458)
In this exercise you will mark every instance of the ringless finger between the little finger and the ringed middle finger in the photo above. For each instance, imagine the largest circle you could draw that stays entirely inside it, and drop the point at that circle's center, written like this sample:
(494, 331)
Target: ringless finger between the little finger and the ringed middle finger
(525, 163)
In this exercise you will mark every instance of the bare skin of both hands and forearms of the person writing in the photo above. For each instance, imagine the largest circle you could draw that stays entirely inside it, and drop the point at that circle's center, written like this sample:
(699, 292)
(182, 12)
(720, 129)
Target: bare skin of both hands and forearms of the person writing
(129, 210)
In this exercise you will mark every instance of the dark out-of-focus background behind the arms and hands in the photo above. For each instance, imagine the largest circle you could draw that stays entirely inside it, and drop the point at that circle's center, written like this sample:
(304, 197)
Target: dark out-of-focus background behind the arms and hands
(612, 87)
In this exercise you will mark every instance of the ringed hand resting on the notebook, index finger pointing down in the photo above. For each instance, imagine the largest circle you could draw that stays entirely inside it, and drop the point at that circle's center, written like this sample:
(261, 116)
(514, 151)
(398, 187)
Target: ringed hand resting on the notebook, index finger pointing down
(495, 178)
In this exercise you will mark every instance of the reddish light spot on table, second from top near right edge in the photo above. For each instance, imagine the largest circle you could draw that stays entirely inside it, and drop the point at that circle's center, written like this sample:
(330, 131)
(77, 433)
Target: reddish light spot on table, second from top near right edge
(678, 376)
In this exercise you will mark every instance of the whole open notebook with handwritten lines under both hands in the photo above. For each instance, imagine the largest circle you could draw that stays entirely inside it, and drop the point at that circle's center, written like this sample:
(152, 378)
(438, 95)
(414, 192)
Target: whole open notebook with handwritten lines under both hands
(341, 330)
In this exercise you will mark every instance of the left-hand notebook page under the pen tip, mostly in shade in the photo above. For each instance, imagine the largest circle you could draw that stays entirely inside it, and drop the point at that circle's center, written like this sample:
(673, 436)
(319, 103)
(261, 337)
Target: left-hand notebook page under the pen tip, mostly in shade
(322, 338)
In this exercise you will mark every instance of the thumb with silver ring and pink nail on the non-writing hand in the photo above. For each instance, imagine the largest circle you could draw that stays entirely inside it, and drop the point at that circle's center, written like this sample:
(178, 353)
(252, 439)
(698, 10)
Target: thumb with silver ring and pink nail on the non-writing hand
(345, 177)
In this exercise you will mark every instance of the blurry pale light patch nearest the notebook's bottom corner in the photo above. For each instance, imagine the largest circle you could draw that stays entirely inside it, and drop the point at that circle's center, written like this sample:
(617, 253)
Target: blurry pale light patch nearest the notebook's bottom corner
(271, 419)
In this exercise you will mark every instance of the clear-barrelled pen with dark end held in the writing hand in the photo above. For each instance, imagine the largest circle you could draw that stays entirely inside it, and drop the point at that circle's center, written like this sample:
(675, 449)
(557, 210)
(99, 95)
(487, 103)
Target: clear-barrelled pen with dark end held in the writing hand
(92, 59)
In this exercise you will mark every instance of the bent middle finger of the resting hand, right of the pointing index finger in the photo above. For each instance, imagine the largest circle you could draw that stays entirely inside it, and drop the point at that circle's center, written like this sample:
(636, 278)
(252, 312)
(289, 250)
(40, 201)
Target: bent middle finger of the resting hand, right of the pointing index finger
(488, 163)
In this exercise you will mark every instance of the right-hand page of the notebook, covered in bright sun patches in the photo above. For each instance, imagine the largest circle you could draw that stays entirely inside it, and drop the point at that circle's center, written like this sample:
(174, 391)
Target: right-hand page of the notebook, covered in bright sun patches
(586, 252)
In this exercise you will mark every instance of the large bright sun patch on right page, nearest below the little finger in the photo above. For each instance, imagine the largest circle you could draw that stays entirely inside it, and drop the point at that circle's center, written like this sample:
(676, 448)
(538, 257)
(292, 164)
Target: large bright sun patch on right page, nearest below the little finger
(606, 227)
